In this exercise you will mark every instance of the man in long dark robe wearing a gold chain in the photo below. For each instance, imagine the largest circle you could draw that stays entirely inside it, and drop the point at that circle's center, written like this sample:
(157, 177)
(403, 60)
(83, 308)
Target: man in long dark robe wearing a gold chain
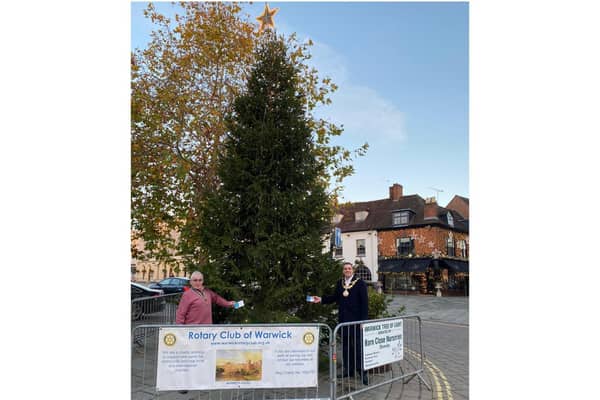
(353, 305)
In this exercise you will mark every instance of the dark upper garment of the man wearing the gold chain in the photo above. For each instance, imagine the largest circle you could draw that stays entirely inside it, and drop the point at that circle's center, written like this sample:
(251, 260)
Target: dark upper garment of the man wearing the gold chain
(355, 307)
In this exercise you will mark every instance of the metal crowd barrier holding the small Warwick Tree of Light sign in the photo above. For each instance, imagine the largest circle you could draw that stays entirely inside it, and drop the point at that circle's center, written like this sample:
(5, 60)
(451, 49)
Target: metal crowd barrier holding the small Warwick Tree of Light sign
(348, 378)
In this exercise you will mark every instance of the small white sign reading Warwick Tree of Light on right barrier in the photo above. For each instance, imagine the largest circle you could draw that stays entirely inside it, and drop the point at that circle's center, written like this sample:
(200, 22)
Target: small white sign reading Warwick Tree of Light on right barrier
(383, 343)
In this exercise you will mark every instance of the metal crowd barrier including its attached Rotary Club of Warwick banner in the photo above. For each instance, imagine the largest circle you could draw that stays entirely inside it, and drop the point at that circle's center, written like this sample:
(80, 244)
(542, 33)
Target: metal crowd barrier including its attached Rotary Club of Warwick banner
(205, 359)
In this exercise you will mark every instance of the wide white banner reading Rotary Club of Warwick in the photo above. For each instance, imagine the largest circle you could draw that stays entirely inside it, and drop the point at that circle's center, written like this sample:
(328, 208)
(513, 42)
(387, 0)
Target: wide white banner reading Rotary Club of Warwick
(198, 358)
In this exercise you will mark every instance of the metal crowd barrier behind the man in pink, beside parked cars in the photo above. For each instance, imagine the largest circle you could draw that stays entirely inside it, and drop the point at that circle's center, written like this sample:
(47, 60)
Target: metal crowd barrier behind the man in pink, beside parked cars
(152, 310)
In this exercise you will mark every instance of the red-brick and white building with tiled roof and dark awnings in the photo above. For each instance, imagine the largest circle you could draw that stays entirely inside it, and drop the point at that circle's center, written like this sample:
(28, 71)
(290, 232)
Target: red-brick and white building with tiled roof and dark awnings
(414, 243)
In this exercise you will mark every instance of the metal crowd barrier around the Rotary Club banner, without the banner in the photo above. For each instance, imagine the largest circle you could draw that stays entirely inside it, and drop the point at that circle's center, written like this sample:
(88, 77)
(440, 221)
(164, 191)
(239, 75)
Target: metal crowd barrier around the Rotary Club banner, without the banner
(144, 364)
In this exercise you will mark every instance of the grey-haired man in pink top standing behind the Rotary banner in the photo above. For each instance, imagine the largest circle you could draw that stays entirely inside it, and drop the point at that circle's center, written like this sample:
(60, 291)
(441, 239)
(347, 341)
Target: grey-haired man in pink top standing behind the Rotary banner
(195, 306)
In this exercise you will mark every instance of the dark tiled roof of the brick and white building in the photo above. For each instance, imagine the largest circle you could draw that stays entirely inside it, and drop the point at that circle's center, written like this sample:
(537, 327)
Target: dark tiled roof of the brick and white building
(380, 215)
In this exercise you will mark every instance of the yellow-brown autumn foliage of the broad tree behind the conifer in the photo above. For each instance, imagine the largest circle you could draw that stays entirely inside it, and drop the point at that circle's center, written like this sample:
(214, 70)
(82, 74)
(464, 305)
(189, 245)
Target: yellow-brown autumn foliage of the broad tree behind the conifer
(183, 86)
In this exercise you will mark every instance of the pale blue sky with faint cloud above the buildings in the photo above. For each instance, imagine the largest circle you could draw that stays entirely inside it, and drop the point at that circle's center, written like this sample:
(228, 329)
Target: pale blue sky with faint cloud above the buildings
(402, 72)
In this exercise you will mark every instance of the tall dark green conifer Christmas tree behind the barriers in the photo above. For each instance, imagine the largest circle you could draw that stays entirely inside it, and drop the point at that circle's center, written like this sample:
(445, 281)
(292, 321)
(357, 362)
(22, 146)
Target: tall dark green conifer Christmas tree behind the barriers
(262, 229)
